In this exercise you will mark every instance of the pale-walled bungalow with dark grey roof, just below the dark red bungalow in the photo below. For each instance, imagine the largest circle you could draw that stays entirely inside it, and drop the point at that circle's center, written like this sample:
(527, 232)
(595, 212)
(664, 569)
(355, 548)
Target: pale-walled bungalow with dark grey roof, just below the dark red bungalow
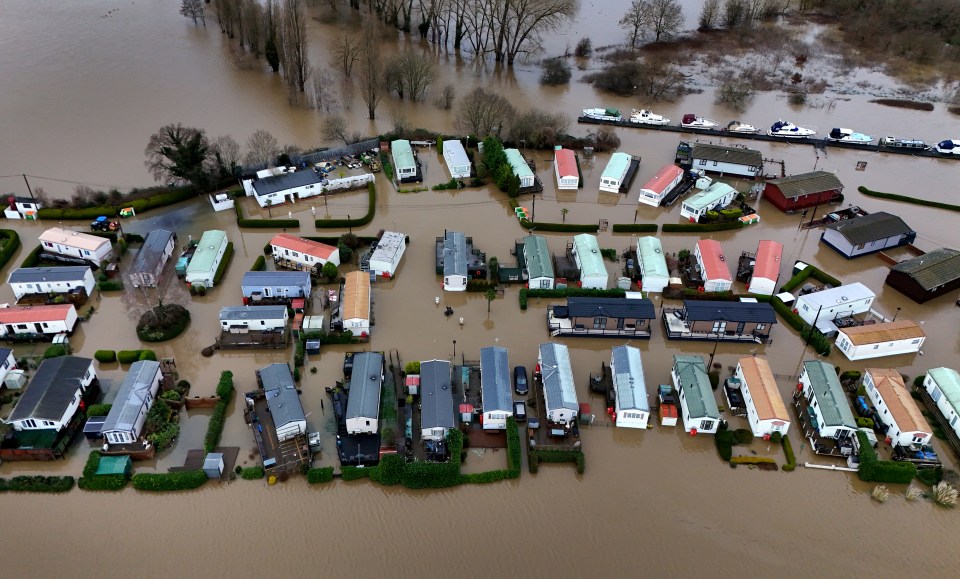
(867, 234)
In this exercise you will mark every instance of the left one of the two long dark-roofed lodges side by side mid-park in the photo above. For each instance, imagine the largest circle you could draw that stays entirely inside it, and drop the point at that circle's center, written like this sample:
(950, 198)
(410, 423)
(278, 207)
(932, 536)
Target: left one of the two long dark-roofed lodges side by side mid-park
(601, 317)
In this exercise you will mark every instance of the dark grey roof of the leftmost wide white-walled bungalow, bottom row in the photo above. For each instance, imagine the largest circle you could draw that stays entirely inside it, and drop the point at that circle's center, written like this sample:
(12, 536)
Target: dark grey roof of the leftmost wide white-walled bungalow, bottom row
(51, 390)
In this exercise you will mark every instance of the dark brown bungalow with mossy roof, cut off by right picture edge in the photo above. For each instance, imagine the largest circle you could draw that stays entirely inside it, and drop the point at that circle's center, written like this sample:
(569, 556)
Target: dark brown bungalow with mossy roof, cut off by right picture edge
(927, 276)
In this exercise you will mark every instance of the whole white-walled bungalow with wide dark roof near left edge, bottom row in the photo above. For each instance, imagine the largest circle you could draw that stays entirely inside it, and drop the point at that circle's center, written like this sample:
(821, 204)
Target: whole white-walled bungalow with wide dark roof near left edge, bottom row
(53, 396)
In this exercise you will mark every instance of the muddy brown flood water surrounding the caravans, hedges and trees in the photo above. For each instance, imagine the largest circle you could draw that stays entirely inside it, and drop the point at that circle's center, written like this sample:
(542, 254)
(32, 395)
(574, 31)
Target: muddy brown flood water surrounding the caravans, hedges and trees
(655, 502)
